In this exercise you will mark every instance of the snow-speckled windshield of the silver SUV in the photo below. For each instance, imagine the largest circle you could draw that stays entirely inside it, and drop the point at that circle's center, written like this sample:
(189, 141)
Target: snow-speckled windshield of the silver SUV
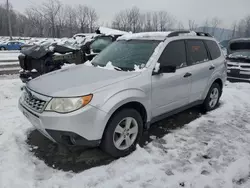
(126, 54)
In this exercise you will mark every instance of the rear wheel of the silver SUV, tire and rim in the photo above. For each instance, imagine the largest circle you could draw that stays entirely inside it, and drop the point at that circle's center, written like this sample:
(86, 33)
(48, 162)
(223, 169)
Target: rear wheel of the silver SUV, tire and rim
(215, 90)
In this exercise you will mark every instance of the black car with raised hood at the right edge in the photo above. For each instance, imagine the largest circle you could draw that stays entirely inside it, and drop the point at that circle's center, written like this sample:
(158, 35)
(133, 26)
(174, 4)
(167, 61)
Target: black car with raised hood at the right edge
(238, 60)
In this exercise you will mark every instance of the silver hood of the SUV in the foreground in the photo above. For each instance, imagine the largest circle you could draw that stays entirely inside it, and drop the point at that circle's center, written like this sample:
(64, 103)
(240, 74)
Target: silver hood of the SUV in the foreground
(77, 80)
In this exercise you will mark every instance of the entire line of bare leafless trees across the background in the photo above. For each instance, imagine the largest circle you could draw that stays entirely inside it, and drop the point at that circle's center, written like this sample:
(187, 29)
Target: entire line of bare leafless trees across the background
(55, 19)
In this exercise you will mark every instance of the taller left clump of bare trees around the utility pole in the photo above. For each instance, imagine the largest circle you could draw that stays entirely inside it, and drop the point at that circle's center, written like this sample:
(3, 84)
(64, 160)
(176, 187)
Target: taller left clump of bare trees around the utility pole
(49, 19)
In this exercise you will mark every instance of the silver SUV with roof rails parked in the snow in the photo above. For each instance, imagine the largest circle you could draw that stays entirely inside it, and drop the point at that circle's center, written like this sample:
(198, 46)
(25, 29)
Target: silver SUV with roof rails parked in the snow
(139, 79)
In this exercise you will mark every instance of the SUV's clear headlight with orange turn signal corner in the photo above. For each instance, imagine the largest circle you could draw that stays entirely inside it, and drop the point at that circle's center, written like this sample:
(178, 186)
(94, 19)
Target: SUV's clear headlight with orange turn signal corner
(66, 105)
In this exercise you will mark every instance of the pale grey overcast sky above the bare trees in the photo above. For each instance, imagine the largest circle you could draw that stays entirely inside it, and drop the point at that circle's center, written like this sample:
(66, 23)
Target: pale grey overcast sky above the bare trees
(227, 10)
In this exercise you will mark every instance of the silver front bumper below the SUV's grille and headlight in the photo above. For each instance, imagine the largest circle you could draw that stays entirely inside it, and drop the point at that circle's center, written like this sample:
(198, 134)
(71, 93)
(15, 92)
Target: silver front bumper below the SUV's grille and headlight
(80, 128)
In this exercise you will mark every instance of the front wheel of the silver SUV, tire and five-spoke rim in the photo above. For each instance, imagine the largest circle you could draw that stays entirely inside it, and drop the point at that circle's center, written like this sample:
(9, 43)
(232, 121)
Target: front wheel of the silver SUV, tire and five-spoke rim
(115, 141)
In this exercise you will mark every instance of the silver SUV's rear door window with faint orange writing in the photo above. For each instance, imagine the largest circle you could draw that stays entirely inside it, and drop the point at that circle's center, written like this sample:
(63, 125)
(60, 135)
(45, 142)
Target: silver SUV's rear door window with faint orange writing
(197, 52)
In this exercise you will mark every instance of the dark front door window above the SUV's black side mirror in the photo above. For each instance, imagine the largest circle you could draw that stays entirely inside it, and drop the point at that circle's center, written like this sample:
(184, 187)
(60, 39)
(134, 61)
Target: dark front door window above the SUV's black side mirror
(174, 54)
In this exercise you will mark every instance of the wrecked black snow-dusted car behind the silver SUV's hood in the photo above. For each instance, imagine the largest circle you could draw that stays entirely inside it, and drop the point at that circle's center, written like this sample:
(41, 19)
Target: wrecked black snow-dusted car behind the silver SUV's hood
(51, 55)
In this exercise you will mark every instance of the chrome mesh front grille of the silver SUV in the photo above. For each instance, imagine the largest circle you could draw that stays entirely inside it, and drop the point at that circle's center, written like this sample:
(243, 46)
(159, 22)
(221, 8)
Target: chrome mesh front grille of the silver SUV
(33, 102)
